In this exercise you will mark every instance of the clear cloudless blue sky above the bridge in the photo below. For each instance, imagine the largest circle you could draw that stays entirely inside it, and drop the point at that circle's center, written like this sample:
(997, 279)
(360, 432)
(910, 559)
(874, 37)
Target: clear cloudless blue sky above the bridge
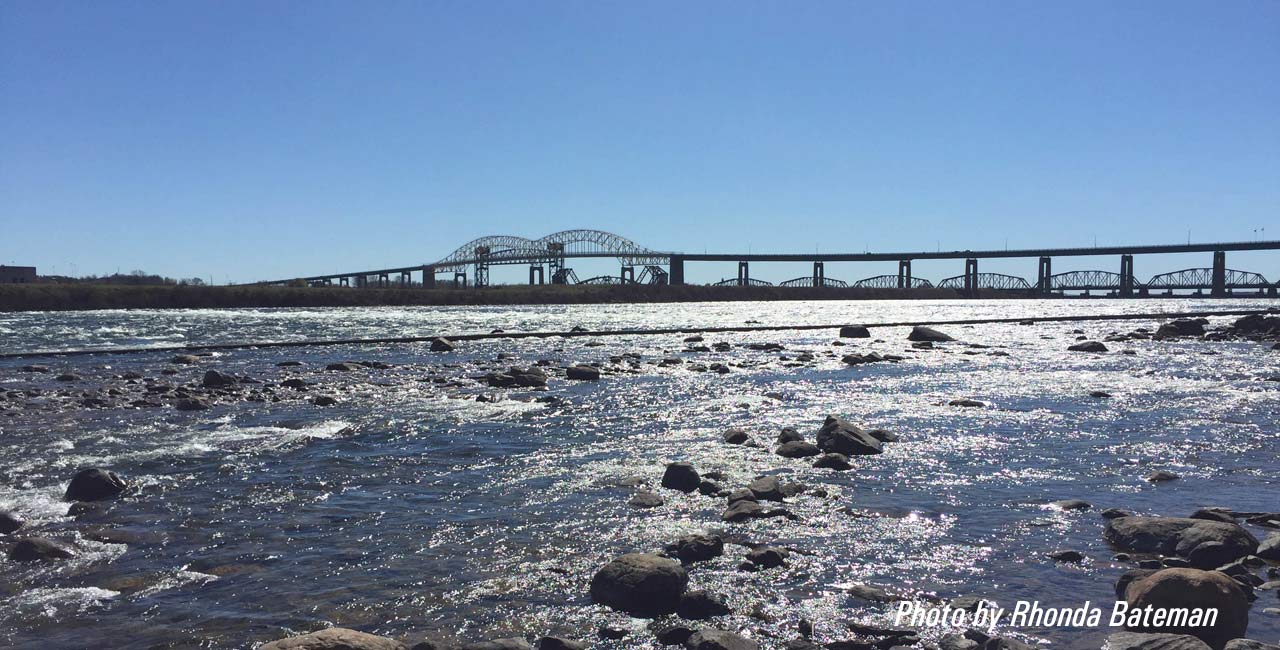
(276, 139)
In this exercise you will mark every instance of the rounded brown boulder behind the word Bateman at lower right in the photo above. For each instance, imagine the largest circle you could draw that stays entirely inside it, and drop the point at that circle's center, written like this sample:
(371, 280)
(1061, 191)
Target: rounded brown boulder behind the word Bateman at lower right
(1194, 589)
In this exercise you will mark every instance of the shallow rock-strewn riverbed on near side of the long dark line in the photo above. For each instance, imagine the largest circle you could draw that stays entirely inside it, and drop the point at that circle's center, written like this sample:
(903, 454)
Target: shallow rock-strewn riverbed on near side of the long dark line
(747, 491)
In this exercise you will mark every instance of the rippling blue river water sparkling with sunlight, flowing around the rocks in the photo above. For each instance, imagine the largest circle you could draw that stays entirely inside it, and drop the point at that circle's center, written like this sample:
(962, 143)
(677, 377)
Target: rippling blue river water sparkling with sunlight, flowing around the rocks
(412, 509)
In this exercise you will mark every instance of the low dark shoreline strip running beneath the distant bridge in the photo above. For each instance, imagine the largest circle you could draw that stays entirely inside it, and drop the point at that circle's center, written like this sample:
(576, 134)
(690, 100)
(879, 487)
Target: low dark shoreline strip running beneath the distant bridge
(77, 297)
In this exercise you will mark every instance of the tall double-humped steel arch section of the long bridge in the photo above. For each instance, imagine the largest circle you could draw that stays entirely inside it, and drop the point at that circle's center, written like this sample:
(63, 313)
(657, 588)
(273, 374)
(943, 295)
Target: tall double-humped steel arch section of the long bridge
(548, 250)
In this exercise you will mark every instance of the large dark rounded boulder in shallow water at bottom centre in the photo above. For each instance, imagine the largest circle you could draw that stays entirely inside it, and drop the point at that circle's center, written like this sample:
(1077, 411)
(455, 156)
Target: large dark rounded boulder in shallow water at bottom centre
(641, 584)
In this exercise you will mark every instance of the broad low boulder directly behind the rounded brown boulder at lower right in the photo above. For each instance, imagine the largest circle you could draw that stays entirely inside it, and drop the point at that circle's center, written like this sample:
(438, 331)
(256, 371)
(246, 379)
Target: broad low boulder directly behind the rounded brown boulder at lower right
(1182, 537)
